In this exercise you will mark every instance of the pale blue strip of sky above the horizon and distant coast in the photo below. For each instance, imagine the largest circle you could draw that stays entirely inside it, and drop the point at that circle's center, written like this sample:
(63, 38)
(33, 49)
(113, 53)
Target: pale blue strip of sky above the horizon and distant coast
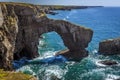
(71, 2)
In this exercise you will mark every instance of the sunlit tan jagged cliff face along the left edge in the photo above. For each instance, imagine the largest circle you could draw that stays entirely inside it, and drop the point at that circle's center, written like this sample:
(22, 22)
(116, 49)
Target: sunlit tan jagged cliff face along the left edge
(8, 32)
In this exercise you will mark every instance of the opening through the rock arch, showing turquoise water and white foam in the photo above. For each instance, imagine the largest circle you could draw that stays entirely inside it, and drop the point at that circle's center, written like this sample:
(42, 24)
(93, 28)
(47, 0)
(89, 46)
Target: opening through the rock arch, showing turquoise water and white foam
(50, 43)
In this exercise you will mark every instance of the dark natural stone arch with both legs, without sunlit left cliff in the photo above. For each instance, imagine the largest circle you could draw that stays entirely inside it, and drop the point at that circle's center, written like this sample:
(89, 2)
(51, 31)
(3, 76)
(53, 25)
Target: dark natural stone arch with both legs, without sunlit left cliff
(74, 37)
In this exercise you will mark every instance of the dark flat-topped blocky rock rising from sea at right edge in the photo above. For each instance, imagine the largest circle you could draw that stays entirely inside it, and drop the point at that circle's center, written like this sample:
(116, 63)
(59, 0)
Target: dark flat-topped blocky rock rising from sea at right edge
(110, 46)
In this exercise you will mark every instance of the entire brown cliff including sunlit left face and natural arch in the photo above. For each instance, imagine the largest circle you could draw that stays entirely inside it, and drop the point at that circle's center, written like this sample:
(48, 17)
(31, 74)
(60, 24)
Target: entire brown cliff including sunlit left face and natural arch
(20, 29)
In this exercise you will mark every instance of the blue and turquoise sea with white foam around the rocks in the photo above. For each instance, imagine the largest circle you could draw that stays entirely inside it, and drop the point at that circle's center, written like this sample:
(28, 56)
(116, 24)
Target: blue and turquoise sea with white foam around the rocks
(105, 22)
